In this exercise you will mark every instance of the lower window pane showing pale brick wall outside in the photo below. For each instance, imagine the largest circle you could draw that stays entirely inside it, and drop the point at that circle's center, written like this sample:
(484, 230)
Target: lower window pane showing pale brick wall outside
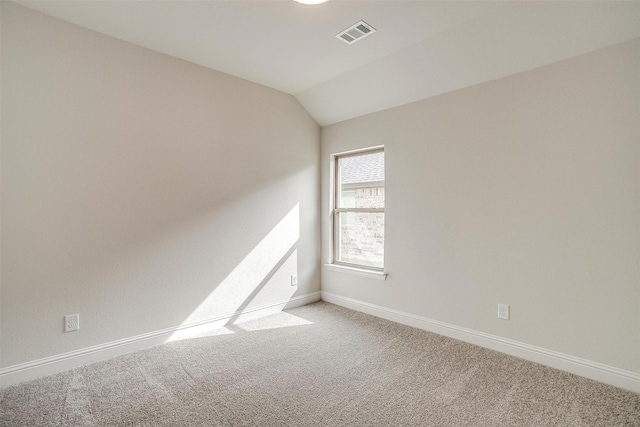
(360, 238)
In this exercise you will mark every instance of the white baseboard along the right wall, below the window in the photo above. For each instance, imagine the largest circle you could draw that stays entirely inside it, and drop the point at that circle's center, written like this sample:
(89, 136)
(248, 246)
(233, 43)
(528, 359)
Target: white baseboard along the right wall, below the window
(575, 365)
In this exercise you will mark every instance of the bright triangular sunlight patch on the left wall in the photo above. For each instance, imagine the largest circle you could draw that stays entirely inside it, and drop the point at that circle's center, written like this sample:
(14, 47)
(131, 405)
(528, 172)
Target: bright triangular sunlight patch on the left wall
(262, 277)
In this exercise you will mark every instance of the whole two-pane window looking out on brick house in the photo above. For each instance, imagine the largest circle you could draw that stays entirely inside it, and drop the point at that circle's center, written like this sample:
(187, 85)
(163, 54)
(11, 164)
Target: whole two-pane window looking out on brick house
(358, 214)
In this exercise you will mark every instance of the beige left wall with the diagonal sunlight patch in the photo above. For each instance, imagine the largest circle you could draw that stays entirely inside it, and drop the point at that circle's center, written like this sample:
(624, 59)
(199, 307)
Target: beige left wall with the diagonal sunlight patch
(141, 191)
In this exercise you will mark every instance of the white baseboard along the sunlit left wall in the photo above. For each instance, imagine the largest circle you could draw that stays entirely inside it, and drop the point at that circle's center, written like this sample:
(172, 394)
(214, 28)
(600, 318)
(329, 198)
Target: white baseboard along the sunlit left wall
(51, 365)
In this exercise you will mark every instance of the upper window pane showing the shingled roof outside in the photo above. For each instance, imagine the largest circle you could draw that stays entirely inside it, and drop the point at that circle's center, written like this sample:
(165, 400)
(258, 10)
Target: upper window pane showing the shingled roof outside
(361, 181)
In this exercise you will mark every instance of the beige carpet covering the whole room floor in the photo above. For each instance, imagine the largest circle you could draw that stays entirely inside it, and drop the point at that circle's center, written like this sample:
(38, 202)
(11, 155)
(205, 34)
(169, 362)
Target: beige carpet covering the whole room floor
(317, 365)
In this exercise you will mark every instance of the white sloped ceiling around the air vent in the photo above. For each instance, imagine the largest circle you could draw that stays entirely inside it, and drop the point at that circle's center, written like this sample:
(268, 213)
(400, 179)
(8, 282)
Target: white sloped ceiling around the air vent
(420, 49)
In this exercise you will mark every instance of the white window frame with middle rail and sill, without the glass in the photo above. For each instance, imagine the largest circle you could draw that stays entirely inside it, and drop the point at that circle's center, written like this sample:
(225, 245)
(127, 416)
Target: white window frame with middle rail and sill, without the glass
(334, 264)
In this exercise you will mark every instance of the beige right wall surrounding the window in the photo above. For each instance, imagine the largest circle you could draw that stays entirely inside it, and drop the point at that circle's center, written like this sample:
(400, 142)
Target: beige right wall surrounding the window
(522, 191)
